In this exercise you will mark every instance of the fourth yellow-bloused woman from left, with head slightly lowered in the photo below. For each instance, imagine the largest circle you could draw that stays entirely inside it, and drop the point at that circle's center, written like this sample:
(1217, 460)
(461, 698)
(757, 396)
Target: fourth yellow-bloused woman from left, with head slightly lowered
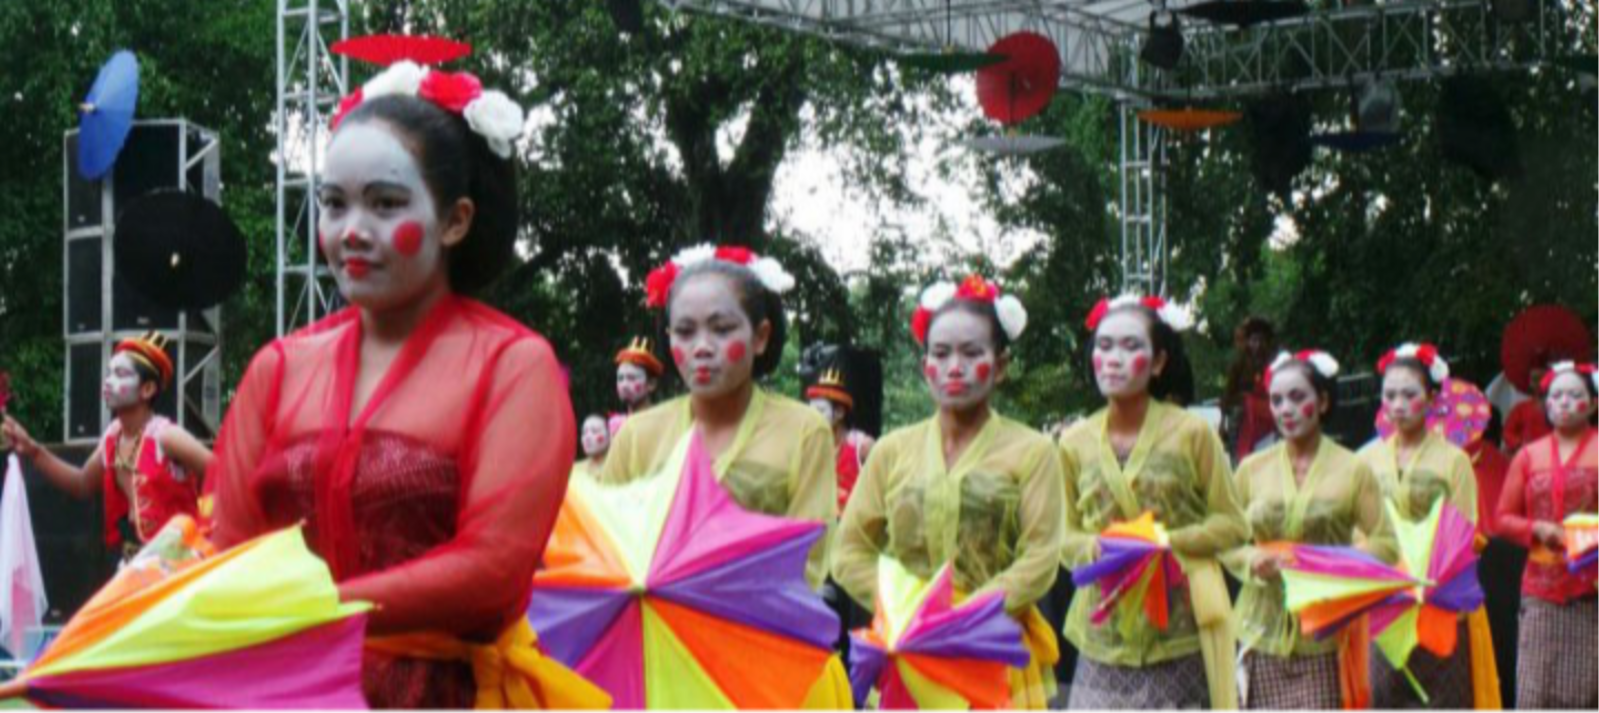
(1304, 490)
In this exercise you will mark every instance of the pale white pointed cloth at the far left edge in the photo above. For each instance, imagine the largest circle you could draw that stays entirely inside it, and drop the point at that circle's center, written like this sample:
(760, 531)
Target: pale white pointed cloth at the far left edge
(23, 602)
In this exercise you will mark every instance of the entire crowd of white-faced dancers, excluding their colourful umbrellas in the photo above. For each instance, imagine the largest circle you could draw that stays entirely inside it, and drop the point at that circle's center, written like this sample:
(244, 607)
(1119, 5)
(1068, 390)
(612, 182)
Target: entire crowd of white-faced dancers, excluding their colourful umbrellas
(426, 442)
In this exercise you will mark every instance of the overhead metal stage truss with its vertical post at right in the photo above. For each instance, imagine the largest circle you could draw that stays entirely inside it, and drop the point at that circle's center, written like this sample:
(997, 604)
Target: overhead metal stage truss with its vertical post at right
(1099, 42)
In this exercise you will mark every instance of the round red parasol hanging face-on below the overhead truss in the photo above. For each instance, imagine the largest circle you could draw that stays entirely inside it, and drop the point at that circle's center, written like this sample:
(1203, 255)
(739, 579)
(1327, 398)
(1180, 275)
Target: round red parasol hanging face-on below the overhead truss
(1018, 89)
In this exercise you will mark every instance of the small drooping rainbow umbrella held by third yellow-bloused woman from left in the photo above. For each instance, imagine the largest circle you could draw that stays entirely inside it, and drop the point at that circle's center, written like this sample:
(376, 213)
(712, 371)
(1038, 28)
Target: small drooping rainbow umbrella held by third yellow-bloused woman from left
(1136, 565)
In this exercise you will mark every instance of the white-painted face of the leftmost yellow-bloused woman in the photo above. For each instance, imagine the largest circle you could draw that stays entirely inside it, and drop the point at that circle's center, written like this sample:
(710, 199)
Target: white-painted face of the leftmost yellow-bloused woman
(714, 345)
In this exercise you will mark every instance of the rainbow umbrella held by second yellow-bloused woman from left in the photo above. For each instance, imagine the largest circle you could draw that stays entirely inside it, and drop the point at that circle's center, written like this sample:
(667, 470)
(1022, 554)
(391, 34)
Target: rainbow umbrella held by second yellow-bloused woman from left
(928, 655)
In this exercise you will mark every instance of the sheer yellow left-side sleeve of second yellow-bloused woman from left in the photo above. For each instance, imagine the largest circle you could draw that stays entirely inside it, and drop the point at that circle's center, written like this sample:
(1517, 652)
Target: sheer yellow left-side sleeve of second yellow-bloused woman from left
(863, 535)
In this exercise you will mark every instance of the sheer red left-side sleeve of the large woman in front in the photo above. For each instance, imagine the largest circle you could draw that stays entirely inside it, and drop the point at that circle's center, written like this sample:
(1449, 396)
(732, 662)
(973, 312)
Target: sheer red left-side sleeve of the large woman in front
(247, 431)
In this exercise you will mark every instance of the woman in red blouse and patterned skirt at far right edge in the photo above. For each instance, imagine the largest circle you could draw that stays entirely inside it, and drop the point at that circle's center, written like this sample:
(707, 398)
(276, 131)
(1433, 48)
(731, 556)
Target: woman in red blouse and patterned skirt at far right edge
(1558, 476)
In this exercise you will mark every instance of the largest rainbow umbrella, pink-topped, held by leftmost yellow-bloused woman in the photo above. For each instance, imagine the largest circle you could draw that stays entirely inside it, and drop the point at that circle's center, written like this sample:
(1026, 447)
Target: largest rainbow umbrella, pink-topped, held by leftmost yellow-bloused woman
(671, 597)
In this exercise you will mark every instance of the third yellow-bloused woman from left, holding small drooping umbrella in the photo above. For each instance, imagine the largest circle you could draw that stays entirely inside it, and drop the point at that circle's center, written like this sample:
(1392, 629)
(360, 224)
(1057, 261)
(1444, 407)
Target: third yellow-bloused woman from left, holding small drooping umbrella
(1142, 455)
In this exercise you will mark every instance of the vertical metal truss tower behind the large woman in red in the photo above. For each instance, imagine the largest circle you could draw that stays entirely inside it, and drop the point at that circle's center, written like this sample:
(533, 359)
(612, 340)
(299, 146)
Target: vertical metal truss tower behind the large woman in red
(309, 86)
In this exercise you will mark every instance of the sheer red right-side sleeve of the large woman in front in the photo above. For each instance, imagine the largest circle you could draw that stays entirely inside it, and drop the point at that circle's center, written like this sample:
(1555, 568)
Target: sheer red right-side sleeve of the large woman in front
(516, 464)
